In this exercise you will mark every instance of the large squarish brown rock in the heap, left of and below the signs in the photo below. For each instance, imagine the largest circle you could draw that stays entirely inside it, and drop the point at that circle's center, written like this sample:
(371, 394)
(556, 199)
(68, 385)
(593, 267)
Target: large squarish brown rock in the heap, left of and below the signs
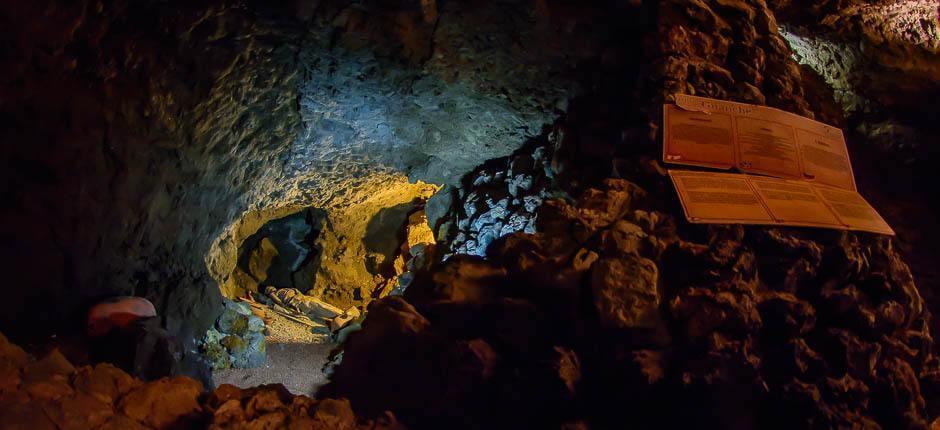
(625, 293)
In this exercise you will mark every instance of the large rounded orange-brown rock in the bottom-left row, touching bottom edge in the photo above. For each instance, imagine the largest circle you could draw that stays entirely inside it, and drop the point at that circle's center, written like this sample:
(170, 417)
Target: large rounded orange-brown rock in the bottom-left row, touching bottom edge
(165, 402)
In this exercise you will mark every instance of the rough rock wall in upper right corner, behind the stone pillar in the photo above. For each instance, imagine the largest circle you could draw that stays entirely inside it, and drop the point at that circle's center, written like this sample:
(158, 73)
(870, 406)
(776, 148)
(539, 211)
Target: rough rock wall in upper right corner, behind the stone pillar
(882, 60)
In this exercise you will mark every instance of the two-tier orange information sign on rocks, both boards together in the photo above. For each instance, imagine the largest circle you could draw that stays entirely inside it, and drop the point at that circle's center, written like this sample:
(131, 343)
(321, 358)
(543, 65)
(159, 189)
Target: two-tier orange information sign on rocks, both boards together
(809, 179)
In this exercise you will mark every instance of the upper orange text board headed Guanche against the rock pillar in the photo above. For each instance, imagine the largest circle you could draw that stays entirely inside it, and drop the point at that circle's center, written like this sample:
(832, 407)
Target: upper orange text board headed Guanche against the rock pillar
(754, 139)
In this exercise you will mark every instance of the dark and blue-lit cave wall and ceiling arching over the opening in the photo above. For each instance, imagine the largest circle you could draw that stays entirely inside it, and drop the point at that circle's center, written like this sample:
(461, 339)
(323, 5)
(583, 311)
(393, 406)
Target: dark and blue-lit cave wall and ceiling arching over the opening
(146, 140)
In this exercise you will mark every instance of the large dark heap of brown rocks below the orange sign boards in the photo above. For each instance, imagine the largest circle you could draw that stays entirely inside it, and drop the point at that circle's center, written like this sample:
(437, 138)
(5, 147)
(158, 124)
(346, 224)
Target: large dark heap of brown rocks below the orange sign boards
(614, 315)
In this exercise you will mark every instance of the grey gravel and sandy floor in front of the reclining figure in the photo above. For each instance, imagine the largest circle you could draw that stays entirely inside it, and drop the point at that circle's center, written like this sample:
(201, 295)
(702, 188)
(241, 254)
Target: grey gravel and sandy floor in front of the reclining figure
(295, 358)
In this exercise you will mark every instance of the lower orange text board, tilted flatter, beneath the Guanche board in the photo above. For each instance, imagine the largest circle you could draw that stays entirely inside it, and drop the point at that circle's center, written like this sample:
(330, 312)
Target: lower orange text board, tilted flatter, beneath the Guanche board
(731, 198)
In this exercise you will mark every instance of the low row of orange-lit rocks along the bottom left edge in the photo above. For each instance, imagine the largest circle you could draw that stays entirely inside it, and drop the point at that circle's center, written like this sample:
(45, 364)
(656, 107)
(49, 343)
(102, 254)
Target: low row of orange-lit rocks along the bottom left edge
(52, 394)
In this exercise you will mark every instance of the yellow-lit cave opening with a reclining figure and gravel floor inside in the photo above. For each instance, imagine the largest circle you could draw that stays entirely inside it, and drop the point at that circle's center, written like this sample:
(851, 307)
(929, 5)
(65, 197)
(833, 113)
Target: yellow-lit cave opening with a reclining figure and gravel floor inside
(303, 281)
